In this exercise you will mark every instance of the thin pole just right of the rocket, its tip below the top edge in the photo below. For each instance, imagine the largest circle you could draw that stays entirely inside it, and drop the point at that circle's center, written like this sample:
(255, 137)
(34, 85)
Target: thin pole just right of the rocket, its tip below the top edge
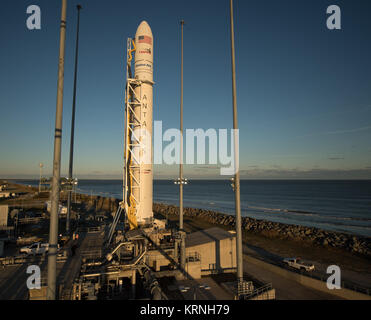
(182, 233)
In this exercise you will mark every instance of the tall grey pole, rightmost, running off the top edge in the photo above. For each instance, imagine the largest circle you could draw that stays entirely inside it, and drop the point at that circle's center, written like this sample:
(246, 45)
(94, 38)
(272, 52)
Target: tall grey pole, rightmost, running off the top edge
(236, 159)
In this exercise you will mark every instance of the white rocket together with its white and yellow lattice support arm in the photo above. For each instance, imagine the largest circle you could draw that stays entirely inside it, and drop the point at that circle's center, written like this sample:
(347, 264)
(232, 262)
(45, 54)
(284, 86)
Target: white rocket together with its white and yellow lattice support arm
(138, 174)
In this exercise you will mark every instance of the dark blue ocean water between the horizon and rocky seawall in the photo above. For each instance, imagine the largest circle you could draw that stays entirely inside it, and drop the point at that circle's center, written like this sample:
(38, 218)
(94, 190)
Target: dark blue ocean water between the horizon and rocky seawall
(338, 205)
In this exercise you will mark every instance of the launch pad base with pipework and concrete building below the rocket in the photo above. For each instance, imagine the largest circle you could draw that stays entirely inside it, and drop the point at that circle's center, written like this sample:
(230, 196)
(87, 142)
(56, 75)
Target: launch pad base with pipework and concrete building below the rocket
(144, 264)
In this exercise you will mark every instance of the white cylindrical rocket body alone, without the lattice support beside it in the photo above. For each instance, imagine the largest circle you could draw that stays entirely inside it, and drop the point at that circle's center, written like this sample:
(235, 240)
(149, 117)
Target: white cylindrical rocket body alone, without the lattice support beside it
(143, 71)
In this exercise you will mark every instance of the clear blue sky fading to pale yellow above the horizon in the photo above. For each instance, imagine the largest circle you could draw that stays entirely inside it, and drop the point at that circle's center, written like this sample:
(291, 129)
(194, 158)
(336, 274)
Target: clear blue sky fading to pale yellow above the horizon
(304, 92)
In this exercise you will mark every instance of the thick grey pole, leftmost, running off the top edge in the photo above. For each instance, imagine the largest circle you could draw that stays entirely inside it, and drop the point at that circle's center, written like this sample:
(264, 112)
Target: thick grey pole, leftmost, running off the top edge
(53, 231)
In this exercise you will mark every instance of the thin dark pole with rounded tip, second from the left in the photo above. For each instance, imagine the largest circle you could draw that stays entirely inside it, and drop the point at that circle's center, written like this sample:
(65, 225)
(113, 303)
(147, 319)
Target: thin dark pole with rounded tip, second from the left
(73, 124)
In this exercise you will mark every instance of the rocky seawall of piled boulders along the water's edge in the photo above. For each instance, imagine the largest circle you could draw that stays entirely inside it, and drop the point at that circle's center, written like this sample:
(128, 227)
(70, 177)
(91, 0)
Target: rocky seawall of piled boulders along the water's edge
(356, 244)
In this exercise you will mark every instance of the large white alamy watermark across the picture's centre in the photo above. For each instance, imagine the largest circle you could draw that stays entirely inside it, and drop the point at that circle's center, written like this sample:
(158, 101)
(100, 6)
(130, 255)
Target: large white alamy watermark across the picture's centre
(216, 147)
